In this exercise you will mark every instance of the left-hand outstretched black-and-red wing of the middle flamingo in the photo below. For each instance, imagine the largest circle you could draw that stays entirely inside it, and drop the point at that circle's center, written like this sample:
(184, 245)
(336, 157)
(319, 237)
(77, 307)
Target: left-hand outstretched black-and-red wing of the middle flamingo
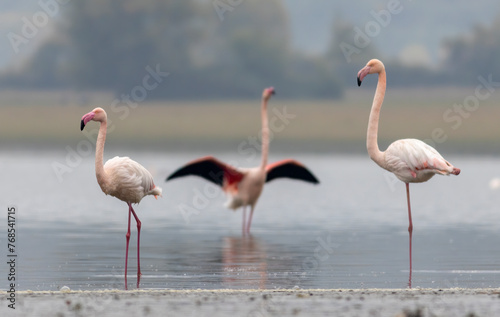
(211, 169)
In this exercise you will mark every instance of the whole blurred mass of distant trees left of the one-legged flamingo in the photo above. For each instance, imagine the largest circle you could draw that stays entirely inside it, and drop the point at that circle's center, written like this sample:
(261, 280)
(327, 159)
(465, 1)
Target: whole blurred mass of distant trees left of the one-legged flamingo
(107, 44)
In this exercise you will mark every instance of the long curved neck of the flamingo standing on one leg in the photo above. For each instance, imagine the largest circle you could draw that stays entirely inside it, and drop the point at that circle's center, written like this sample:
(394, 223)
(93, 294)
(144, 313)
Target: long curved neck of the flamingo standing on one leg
(372, 133)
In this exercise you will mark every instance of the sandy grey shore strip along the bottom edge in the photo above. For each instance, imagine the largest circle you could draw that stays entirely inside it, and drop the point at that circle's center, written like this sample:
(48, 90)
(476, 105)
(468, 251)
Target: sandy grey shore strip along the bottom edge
(367, 302)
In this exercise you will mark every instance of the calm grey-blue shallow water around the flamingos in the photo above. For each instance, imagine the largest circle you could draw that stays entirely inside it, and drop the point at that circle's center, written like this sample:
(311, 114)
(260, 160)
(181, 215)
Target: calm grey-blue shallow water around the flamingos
(347, 232)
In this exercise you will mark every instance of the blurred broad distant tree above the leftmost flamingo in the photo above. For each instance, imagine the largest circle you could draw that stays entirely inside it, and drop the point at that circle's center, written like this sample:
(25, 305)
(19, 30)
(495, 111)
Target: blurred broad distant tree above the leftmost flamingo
(112, 41)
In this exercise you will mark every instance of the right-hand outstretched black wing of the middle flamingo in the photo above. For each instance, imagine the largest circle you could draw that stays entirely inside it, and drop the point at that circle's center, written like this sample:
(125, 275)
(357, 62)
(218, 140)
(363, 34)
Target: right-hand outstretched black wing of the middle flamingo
(289, 169)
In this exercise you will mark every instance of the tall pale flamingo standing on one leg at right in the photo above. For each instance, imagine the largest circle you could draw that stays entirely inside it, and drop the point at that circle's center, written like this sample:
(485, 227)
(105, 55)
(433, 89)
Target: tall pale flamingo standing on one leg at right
(411, 160)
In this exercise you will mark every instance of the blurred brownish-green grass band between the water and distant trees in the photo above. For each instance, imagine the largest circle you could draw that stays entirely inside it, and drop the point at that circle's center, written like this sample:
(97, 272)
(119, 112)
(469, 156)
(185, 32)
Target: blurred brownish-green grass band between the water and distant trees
(53, 120)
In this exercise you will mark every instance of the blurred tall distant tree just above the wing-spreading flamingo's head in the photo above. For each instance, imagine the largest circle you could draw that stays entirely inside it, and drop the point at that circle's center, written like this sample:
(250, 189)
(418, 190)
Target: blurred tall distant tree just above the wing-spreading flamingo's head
(254, 41)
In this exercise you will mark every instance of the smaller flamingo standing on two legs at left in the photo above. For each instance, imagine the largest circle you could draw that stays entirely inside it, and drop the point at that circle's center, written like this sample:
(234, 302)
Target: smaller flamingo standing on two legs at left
(122, 178)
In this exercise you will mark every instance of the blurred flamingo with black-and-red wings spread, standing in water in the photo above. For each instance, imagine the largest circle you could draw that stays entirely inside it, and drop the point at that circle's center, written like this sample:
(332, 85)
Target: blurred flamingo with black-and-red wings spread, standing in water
(244, 185)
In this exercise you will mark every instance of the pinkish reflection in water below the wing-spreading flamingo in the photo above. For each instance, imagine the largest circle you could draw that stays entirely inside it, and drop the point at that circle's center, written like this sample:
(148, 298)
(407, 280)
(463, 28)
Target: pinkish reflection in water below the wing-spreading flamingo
(244, 262)
